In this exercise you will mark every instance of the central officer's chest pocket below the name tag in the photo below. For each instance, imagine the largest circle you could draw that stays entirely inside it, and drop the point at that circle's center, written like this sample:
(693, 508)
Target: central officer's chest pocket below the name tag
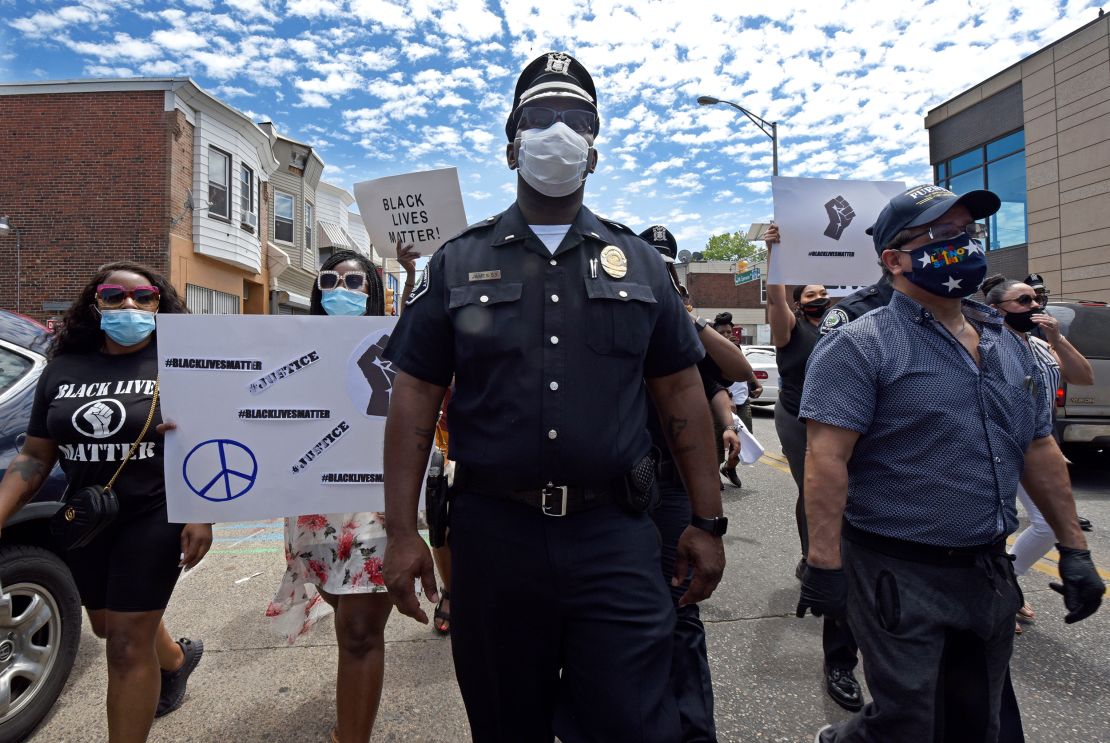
(487, 317)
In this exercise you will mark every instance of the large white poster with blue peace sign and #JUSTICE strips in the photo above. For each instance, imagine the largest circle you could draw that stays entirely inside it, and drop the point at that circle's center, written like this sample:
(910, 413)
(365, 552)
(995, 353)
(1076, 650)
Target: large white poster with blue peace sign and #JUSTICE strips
(277, 416)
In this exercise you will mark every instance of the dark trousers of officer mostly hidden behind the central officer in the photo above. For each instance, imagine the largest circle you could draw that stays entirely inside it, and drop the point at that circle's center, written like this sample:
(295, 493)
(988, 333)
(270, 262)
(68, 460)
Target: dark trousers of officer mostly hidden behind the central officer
(691, 681)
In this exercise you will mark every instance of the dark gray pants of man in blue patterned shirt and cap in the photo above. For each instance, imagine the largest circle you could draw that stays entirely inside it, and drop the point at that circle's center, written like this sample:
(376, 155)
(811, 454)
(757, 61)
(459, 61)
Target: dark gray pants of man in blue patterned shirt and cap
(937, 640)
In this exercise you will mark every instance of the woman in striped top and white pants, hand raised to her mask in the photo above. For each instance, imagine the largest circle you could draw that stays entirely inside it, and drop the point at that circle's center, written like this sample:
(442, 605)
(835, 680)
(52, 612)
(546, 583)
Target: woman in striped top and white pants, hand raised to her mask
(1024, 314)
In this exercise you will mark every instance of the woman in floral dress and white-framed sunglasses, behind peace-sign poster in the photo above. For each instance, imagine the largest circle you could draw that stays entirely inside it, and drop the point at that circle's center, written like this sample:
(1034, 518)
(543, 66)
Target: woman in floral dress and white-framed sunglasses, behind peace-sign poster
(336, 560)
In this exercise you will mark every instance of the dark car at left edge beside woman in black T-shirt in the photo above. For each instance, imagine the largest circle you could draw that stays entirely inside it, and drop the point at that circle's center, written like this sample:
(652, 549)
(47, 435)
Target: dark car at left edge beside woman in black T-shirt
(41, 611)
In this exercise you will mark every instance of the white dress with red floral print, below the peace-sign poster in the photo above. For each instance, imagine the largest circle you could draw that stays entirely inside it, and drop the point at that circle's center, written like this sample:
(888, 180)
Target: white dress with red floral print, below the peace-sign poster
(337, 553)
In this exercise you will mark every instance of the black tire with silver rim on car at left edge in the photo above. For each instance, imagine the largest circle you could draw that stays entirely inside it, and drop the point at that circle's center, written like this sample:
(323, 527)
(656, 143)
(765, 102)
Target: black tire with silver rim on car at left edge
(42, 593)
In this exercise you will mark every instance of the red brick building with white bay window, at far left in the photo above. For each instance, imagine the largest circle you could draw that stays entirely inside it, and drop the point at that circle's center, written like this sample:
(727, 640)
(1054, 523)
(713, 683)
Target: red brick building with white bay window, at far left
(148, 170)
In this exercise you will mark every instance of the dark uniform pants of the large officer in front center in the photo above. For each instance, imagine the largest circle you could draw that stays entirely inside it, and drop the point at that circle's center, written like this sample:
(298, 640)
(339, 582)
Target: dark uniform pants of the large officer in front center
(560, 626)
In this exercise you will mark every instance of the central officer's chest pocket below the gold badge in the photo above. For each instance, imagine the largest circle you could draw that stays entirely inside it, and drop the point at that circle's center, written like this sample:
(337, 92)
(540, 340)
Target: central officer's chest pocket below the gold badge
(619, 317)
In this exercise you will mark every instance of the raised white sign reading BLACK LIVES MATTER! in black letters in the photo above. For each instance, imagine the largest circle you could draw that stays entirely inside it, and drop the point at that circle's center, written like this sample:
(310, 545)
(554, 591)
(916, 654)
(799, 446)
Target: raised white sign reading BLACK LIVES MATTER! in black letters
(425, 209)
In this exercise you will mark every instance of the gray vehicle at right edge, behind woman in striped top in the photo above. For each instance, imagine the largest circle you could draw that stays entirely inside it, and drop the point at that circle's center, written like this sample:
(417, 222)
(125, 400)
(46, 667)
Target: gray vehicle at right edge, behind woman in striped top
(1083, 414)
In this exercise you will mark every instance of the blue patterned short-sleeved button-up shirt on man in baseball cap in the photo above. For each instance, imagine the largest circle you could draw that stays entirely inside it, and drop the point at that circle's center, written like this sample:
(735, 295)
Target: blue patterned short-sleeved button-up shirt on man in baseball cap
(943, 441)
